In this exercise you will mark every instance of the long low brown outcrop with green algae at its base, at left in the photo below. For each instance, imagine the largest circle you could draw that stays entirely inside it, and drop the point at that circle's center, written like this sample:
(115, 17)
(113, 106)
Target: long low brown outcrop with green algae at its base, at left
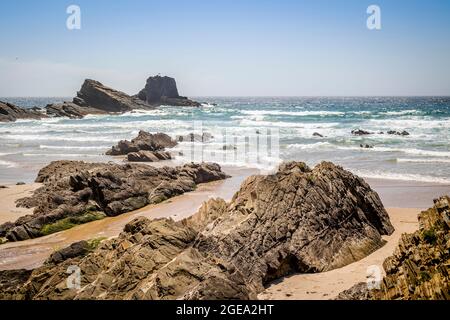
(75, 192)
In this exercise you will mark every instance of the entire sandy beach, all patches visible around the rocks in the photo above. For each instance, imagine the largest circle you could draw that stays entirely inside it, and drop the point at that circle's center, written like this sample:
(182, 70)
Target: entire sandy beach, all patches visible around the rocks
(396, 195)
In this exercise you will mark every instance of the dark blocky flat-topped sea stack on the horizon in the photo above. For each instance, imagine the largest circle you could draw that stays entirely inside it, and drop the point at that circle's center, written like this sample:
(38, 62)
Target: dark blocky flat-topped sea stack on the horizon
(163, 91)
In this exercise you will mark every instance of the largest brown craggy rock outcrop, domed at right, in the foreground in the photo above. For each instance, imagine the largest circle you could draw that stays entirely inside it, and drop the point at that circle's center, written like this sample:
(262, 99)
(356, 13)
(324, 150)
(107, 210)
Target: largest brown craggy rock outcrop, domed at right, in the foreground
(297, 220)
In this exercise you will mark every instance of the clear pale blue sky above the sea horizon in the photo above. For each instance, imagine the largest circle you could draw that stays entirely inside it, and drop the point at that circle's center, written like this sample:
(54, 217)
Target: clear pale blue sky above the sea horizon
(227, 48)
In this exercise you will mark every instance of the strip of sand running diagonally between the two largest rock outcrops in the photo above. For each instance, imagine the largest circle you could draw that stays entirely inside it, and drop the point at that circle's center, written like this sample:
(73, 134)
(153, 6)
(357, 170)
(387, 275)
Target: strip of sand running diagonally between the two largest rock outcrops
(32, 253)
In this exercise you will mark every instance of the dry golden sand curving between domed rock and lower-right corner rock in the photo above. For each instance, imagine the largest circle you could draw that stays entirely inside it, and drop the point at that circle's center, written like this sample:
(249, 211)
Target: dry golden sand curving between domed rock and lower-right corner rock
(327, 285)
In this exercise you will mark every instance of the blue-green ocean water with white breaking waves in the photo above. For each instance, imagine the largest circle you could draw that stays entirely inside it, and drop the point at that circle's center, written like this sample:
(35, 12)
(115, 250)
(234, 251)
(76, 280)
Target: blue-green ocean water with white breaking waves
(424, 155)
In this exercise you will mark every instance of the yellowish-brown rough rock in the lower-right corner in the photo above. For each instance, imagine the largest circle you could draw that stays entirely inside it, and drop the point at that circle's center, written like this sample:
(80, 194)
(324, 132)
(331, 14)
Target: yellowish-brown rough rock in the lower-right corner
(419, 269)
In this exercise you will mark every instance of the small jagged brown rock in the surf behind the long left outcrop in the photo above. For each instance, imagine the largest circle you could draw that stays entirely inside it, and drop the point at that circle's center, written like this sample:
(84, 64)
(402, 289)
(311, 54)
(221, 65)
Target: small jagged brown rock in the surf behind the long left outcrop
(143, 142)
